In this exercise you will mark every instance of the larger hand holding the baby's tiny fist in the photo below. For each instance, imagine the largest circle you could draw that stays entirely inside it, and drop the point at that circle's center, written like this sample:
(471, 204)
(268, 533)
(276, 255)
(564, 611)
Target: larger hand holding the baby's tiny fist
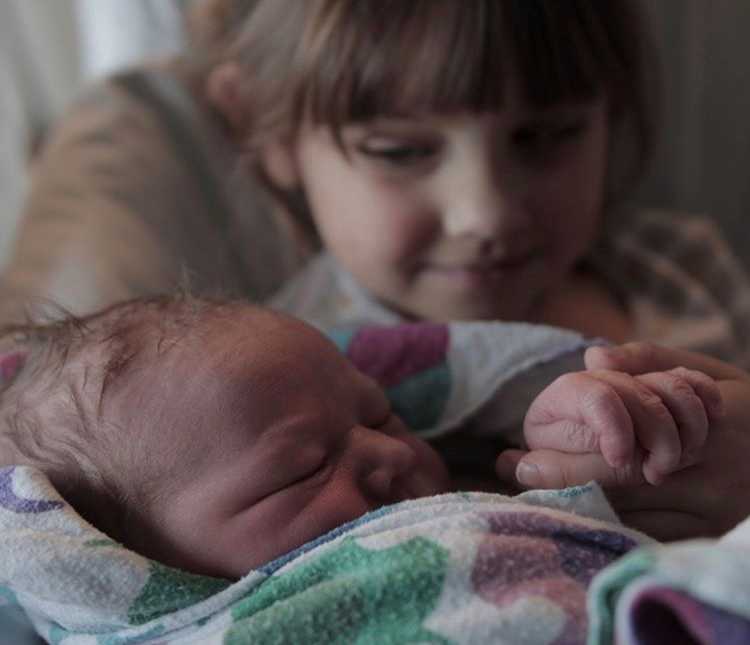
(706, 499)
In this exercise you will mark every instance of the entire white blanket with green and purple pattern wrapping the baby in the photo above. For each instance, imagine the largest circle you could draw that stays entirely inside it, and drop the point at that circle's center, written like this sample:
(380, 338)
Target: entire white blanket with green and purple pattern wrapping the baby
(457, 568)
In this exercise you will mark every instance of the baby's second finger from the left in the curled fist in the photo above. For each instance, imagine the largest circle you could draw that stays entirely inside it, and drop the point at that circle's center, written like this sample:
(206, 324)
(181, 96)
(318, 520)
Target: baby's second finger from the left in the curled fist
(655, 428)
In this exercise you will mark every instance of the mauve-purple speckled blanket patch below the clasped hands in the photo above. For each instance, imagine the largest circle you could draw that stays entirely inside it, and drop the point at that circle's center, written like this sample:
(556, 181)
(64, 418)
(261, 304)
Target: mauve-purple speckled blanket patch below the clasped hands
(533, 555)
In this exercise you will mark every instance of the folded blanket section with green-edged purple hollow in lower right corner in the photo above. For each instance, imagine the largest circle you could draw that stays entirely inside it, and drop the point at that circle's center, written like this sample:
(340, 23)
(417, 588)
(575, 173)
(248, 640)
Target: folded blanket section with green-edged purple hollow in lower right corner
(696, 591)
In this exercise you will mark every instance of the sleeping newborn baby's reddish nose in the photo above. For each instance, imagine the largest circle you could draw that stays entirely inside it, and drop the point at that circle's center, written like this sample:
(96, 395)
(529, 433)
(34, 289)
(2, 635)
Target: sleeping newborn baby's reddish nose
(381, 462)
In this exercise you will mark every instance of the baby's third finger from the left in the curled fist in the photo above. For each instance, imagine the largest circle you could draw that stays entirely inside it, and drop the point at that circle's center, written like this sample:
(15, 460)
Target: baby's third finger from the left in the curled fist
(694, 401)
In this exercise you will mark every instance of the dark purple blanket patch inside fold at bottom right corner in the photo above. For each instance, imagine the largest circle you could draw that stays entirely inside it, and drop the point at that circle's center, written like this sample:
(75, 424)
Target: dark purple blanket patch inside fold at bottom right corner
(664, 615)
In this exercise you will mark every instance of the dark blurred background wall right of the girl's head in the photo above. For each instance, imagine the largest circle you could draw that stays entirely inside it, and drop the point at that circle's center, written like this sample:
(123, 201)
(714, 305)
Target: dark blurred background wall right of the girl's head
(703, 161)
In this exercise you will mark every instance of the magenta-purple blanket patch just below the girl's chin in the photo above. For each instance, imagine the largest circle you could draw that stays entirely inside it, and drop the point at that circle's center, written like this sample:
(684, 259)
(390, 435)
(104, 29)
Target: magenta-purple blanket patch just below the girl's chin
(390, 354)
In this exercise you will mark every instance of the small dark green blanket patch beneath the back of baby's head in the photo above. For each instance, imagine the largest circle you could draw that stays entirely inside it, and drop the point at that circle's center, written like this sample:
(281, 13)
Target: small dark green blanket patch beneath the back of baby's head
(168, 590)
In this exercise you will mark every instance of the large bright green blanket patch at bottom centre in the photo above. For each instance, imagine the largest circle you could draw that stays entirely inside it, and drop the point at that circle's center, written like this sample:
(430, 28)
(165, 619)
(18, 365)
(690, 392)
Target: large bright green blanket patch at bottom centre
(350, 595)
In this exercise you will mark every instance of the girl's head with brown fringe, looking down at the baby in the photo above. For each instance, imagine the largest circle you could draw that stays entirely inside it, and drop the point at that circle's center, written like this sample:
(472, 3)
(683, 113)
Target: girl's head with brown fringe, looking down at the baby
(454, 156)
